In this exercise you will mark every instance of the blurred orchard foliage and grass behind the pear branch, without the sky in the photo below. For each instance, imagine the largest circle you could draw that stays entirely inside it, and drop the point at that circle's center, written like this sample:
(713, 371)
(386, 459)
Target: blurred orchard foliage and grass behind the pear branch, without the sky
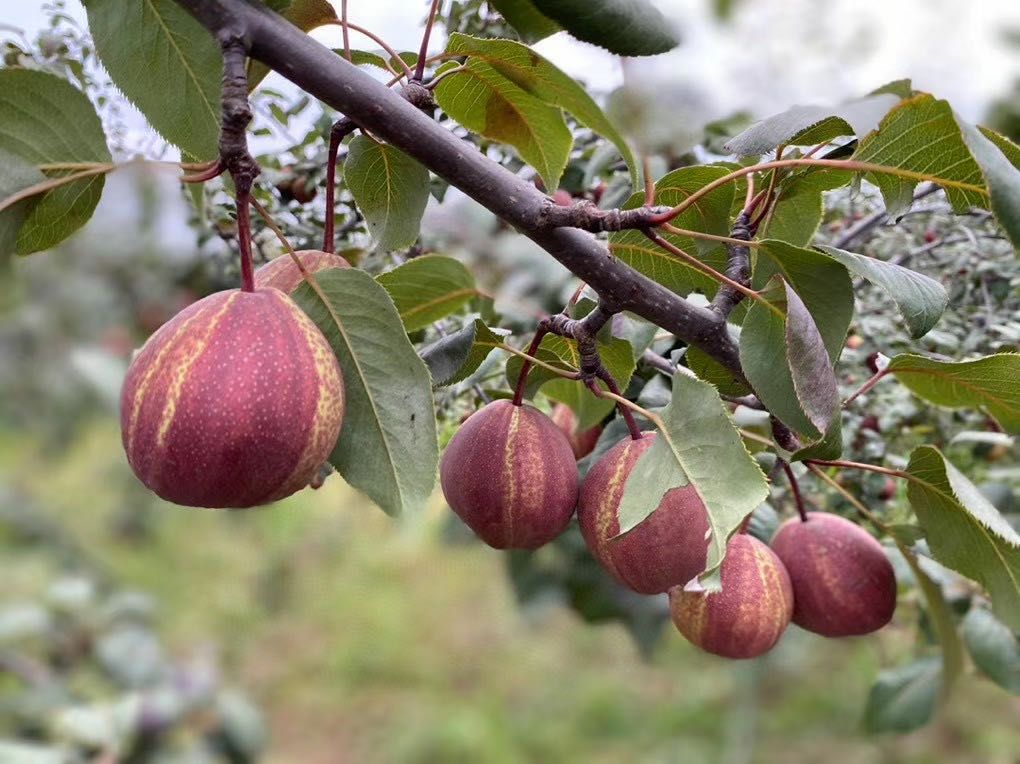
(320, 631)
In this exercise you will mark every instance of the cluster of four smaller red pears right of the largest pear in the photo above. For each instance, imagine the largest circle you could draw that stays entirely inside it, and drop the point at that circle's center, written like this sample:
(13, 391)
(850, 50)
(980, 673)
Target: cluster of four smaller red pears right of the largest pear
(511, 474)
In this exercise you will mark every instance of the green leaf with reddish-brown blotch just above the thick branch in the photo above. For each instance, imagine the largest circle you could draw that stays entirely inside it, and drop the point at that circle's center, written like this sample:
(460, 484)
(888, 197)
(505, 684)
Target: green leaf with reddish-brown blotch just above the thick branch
(485, 101)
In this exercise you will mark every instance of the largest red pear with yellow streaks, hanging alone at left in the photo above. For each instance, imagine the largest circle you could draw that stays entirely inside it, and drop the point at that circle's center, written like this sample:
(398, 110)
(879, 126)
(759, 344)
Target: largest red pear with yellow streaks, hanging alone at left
(237, 401)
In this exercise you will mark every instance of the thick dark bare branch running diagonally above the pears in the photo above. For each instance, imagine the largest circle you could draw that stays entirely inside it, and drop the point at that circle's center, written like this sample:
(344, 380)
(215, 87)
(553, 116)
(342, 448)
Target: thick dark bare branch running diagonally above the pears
(323, 74)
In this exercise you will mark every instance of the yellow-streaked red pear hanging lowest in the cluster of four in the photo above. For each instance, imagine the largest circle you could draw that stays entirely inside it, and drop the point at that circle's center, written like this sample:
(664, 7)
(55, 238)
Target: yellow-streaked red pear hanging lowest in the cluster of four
(748, 618)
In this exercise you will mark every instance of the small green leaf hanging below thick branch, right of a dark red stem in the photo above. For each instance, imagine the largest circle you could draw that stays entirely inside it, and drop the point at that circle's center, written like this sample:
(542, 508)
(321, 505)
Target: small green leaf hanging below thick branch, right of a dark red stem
(390, 188)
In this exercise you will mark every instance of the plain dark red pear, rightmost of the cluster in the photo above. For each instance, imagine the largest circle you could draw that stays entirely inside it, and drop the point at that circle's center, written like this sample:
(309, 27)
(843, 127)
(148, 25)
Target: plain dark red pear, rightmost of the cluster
(843, 582)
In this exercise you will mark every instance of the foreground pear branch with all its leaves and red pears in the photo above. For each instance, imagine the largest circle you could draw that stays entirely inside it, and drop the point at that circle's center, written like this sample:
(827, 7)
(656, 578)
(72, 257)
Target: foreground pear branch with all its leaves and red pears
(643, 435)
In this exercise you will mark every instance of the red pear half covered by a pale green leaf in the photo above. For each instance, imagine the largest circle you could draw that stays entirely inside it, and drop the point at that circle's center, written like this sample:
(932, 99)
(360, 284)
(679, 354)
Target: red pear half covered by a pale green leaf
(667, 549)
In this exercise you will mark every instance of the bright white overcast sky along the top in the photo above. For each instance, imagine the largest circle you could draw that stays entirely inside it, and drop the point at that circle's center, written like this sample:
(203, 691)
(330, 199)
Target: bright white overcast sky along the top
(775, 54)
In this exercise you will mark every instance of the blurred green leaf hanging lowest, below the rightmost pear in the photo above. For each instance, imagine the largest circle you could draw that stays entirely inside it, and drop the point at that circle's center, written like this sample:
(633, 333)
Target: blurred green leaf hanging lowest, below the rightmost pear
(905, 698)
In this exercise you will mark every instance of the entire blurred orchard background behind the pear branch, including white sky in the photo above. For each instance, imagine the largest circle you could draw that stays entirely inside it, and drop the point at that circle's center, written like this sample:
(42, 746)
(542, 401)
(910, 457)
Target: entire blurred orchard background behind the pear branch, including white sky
(320, 629)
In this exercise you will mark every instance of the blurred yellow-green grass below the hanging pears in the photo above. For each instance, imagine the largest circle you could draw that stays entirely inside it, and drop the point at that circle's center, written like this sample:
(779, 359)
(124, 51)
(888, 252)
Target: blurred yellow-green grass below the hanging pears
(368, 640)
